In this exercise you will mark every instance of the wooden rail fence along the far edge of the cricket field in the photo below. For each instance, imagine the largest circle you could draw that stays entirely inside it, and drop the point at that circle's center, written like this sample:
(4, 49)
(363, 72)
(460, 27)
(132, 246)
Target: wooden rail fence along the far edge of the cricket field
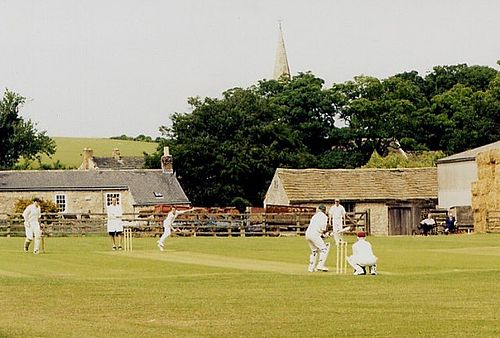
(193, 224)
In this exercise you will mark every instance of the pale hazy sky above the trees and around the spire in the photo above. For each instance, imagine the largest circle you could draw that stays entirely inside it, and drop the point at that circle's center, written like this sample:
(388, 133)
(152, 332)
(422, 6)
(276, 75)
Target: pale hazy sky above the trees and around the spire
(102, 68)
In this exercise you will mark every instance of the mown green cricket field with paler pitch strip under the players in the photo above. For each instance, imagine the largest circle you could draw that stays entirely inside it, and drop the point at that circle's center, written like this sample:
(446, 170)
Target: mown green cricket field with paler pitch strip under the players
(437, 286)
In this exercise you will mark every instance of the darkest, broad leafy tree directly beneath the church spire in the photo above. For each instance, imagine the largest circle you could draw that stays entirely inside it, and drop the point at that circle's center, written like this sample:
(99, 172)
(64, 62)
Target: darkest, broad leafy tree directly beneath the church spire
(227, 150)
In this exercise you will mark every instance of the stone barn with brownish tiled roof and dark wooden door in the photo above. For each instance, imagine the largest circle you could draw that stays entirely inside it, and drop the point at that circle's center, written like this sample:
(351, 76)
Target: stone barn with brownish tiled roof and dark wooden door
(395, 198)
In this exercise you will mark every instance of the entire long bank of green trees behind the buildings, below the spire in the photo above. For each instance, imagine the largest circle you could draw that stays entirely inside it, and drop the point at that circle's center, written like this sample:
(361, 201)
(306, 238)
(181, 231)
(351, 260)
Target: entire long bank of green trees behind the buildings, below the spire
(227, 150)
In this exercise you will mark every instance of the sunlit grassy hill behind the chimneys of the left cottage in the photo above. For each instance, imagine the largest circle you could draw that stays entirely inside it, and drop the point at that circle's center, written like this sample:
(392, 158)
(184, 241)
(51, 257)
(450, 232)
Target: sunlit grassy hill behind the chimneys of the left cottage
(69, 149)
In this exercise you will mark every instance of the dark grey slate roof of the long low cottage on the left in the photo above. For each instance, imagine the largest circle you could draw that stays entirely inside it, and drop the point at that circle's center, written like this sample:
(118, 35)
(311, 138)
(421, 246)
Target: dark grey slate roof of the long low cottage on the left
(141, 183)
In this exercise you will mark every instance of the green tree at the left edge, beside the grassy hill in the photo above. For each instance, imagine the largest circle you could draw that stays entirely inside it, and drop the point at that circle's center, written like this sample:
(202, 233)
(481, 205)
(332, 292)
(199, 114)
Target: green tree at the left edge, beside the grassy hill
(17, 136)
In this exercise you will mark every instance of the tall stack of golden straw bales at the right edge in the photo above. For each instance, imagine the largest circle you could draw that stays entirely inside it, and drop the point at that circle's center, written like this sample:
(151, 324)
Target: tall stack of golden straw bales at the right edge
(486, 190)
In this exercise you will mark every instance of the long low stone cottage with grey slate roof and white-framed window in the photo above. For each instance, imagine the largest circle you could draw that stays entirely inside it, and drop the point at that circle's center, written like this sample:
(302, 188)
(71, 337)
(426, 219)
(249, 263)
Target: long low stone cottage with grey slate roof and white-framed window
(89, 190)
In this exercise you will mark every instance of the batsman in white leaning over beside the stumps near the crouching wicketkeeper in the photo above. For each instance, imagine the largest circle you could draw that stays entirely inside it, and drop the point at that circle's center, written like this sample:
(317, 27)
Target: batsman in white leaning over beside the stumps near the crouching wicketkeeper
(314, 233)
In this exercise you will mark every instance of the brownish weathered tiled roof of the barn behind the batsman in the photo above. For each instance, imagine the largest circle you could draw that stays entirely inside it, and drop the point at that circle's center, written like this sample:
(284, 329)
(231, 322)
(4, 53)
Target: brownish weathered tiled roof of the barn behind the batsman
(305, 185)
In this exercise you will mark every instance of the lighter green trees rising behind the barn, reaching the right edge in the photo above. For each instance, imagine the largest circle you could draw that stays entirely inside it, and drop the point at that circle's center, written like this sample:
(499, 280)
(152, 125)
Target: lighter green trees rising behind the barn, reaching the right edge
(452, 109)
